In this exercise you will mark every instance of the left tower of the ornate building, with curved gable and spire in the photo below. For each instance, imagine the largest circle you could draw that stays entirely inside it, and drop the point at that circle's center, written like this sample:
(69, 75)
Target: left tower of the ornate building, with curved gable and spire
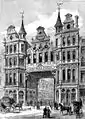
(15, 62)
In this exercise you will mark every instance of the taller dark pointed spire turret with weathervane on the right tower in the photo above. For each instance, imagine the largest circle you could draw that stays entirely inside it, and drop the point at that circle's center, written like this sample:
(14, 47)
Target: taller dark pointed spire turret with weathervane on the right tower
(58, 24)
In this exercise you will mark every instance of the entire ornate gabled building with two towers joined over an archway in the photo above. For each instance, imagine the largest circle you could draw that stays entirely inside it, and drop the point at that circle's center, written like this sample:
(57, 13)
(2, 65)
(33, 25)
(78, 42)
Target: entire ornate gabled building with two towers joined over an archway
(59, 60)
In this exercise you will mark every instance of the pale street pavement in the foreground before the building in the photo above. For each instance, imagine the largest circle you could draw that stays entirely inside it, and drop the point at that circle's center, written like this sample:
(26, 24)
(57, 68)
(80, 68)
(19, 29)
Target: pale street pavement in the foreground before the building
(30, 111)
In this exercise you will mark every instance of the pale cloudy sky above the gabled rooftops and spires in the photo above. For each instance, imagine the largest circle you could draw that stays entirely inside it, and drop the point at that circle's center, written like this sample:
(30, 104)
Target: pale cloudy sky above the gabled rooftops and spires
(38, 12)
